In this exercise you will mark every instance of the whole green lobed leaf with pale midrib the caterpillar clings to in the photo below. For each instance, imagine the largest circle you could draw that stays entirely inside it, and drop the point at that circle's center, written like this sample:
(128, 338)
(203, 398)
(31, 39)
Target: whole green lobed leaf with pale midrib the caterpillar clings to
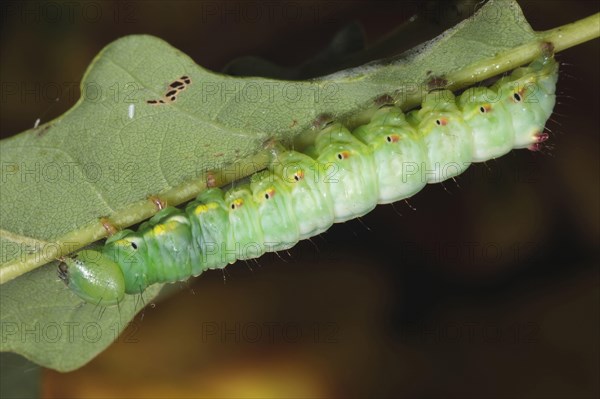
(113, 149)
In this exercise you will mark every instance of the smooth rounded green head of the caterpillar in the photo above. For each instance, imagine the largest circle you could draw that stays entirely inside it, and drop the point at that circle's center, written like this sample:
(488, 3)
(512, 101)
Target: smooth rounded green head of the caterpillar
(93, 277)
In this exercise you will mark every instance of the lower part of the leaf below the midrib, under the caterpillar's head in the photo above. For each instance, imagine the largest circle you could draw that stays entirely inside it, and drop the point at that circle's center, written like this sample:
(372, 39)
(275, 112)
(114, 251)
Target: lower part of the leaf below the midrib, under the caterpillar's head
(41, 320)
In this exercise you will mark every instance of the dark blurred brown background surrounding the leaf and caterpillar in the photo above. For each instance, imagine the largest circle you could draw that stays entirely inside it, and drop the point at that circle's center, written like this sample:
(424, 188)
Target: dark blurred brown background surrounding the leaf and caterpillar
(488, 288)
